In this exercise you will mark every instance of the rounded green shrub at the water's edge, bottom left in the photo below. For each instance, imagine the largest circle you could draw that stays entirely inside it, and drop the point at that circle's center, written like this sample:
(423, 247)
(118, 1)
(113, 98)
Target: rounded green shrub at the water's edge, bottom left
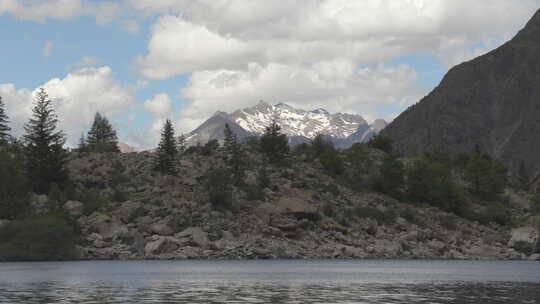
(49, 238)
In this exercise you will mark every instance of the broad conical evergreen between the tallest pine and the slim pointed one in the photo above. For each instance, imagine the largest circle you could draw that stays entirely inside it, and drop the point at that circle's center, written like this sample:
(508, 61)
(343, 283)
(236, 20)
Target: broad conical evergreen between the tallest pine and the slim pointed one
(102, 137)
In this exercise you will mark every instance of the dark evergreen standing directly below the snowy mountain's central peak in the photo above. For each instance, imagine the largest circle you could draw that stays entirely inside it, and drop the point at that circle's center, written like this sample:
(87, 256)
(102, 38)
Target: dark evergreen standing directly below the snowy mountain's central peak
(274, 144)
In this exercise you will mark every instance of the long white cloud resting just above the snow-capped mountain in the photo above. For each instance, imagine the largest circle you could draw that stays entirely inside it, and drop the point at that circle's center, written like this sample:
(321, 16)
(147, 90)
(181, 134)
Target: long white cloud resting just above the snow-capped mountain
(337, 86)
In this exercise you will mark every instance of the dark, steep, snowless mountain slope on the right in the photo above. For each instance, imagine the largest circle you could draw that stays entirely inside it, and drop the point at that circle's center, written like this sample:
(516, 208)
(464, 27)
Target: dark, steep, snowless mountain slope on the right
(491, 102)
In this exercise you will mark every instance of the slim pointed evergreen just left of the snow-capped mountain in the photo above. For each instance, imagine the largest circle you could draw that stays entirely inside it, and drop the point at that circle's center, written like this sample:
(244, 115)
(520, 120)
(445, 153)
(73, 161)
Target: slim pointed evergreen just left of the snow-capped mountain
(167, 150)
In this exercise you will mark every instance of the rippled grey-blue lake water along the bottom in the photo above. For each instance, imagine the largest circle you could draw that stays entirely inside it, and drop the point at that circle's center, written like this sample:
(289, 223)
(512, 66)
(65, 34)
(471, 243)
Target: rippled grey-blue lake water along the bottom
(279, 281)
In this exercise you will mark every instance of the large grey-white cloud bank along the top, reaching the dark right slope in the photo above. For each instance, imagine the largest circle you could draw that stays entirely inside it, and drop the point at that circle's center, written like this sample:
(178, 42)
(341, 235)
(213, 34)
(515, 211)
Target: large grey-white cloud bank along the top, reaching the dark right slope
(229, 34)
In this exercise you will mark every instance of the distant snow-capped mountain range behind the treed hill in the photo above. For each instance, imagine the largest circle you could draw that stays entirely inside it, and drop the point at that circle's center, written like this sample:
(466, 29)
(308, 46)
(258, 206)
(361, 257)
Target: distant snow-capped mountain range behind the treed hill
(300, 125)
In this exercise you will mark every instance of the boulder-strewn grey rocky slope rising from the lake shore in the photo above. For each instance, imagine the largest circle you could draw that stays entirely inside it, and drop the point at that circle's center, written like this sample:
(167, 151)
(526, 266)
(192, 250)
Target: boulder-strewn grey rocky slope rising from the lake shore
(129, 211)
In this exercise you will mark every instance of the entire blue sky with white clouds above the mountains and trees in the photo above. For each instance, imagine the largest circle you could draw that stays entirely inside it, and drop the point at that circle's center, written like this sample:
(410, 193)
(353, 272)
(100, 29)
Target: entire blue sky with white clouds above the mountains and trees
(142, 61)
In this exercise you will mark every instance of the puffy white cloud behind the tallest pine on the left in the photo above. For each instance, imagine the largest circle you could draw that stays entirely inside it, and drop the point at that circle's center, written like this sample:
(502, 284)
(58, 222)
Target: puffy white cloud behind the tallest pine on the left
(76, 98)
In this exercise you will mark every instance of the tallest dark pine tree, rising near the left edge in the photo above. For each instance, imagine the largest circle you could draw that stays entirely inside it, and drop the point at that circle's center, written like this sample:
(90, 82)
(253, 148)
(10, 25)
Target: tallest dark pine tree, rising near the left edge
(44, 147)
